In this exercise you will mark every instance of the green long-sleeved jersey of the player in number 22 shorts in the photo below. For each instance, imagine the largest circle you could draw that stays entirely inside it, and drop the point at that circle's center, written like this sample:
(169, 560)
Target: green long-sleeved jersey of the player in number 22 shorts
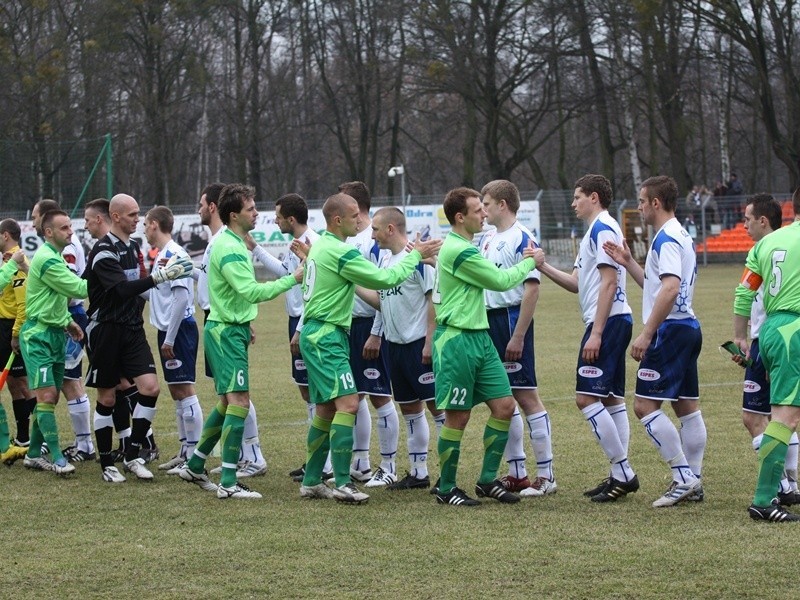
(462, 275)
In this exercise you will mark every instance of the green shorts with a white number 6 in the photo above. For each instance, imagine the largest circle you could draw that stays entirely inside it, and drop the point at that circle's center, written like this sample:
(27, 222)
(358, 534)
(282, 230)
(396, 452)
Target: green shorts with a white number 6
(226, 348)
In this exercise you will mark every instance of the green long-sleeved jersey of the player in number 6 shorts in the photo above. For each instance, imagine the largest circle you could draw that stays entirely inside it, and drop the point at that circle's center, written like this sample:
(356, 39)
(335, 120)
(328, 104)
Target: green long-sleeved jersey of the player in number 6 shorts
(232, 286)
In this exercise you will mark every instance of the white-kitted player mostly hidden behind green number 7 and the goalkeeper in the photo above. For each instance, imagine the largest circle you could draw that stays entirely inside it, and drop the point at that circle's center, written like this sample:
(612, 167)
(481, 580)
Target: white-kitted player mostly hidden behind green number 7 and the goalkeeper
(74, 393)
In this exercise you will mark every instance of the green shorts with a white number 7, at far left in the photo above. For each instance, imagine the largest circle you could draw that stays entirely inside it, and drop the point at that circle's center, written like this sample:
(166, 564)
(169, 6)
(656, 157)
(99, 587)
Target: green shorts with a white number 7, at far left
(43, 350)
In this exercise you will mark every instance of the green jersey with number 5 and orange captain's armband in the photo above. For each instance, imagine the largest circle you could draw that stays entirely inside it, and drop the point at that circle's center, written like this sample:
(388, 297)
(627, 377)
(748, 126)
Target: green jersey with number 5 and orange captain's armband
(775, 259)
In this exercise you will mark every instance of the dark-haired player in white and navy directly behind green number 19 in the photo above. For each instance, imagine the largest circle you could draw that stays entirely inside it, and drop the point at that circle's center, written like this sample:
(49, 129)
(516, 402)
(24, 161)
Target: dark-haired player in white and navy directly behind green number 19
(369, 365)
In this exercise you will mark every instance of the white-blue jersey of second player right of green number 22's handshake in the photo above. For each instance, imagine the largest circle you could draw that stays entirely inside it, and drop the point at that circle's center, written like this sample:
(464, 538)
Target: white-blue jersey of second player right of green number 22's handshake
(671, 253)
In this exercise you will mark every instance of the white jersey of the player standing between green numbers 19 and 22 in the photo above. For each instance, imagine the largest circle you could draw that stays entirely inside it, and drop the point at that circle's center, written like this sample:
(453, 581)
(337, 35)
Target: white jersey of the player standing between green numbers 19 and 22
(404, 307)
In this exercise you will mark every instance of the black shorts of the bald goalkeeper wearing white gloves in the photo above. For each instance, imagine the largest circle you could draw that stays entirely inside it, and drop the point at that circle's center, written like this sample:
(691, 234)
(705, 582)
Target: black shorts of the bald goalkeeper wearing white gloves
(116, 351)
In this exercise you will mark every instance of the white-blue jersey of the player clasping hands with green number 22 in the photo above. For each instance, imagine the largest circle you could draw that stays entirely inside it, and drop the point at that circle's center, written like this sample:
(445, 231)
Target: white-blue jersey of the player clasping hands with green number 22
(591, 257)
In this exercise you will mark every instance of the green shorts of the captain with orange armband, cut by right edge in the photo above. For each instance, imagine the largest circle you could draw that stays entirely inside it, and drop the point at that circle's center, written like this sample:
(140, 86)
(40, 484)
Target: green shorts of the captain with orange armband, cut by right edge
(779, 344)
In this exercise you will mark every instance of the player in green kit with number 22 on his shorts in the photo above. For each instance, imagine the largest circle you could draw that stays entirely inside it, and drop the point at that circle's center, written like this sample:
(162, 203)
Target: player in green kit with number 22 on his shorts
(466, 364)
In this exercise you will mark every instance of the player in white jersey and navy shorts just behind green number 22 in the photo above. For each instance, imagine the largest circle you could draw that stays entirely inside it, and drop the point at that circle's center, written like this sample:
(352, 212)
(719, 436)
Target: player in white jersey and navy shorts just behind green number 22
(510, 314)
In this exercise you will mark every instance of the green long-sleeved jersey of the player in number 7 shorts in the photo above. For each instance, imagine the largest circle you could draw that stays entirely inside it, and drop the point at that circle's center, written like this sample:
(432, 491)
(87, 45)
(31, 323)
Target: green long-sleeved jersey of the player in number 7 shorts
(50, 286)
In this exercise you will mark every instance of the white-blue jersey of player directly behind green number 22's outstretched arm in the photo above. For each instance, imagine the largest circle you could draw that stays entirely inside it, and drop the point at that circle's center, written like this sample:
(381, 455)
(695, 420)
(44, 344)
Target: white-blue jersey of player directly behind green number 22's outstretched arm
(504, 249)
